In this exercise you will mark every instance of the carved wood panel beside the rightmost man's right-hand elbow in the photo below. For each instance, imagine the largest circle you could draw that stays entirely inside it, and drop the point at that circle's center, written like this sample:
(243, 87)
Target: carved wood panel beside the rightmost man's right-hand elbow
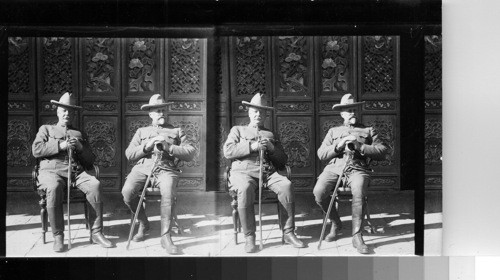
(386, 133)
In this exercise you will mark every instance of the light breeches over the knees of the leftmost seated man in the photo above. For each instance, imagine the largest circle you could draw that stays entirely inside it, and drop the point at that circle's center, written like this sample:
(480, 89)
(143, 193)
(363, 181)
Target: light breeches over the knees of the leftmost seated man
(54, 185)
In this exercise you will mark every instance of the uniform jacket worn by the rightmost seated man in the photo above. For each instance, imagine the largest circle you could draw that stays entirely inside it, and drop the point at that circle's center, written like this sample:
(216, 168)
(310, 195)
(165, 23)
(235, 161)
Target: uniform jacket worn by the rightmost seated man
(371, 148)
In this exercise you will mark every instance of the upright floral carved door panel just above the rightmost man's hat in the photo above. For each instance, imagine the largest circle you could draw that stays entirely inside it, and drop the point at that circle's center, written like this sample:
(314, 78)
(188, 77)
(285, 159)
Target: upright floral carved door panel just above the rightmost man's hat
(335, 63)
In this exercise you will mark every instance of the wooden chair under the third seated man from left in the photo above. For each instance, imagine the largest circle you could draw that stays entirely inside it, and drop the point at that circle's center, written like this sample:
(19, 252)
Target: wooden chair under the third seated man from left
(268, 197)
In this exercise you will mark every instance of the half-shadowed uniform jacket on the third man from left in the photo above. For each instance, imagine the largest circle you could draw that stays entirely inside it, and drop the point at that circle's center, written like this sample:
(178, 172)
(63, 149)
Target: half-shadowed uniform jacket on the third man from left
(237, 148)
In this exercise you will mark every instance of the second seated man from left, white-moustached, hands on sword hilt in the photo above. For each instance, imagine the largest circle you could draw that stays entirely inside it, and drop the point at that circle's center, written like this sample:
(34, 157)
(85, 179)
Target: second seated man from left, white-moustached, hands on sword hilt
(143, 148)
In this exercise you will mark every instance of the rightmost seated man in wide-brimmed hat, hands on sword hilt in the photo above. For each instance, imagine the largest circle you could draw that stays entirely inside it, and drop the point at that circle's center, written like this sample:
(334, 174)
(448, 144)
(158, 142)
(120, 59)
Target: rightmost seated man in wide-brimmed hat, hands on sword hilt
(364, 143)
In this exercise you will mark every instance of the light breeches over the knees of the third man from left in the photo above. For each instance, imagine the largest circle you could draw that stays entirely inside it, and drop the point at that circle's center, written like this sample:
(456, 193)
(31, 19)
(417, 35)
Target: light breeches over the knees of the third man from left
(246, 186)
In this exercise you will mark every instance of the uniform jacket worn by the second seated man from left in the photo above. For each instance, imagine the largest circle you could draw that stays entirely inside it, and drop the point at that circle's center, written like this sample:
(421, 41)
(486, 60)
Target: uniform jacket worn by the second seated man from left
(181, 149)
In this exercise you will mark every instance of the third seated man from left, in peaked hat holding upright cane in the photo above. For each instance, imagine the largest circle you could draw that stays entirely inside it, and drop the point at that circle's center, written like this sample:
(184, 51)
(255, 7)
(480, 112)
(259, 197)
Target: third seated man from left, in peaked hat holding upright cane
(242, 146)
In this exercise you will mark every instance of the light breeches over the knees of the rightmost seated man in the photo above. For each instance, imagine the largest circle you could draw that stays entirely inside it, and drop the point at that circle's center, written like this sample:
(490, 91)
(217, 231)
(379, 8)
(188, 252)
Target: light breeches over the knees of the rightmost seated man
(357, 180)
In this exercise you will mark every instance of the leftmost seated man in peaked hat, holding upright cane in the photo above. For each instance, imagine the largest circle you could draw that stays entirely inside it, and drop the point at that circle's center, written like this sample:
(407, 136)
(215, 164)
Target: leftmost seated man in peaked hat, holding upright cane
(51, 147)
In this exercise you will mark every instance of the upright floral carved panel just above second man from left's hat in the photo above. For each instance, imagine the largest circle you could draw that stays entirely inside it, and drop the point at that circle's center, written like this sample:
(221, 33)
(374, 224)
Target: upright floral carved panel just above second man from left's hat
(142, 64)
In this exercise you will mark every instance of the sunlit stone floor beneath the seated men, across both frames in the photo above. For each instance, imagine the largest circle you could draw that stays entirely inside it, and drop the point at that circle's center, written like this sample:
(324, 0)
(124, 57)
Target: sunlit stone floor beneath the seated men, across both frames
(207, 228)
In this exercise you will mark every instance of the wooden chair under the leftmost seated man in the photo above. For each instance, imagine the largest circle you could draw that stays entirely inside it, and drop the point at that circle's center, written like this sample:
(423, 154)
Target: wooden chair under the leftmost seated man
(76, 196)
